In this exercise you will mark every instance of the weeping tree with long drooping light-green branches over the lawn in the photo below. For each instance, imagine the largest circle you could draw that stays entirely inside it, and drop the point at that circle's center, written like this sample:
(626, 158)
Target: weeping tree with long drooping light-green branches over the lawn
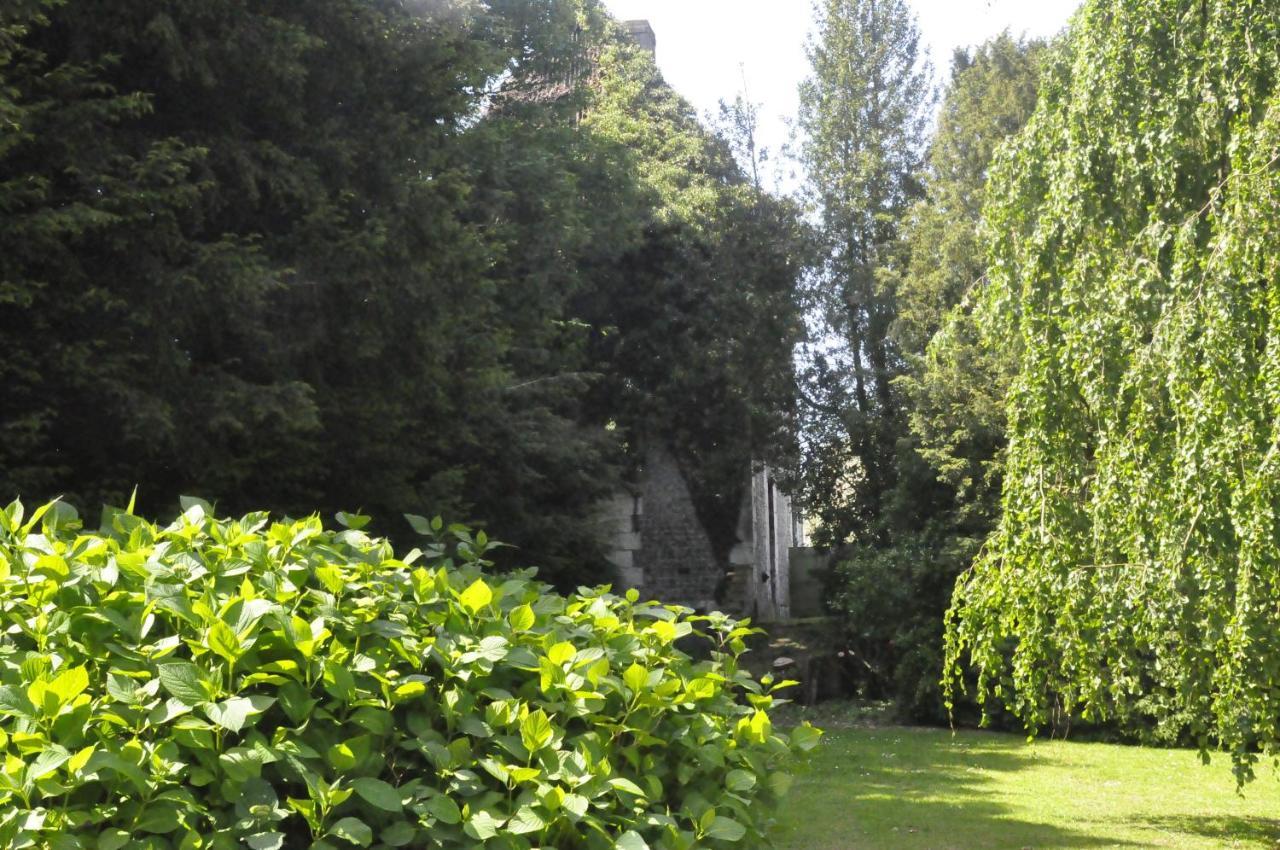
(1135, 232)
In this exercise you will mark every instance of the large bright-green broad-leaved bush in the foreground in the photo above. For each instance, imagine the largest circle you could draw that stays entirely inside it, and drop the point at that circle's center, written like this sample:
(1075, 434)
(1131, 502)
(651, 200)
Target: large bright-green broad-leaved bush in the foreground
(248, 683)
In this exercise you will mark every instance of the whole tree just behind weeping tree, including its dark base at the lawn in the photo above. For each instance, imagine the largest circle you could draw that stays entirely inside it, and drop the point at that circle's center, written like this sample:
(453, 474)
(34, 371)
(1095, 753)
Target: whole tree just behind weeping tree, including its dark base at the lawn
(893, 593)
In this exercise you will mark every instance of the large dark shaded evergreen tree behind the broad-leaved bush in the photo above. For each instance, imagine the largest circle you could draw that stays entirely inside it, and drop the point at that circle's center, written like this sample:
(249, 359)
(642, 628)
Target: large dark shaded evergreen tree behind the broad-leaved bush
(253, 266)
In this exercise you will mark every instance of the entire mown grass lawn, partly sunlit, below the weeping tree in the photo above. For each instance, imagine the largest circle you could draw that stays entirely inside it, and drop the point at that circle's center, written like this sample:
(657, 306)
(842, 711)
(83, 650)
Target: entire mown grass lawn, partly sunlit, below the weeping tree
(922, 789)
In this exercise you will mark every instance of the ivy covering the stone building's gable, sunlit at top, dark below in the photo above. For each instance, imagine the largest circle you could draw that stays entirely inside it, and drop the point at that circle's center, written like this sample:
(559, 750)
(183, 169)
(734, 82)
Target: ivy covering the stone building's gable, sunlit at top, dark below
(700, 318)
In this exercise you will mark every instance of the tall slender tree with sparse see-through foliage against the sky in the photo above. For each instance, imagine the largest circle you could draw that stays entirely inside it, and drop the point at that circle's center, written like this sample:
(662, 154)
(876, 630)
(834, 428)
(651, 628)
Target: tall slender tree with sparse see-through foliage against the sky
(863, 117)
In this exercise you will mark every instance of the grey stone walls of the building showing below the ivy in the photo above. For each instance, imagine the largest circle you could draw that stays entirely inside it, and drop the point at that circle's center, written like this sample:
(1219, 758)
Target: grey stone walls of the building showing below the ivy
(660, 547)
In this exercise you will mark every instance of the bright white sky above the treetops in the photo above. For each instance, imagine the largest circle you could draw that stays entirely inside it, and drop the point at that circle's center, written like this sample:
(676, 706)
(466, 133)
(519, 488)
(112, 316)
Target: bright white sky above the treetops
(710, 51)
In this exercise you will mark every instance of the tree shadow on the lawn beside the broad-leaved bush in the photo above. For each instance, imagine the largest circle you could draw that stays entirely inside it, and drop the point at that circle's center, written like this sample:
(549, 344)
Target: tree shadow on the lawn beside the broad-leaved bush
(916, 790)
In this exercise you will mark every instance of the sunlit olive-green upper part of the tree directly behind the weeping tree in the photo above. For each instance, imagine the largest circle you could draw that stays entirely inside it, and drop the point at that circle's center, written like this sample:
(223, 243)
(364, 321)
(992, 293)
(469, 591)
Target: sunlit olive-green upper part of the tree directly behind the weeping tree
(956, 382)
